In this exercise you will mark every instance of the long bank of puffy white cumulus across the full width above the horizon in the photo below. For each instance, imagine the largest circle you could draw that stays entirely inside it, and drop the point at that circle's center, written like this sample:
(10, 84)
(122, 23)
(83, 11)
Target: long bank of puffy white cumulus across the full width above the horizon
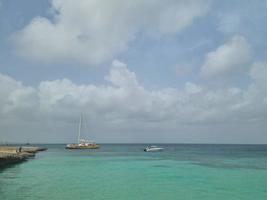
(122, 98)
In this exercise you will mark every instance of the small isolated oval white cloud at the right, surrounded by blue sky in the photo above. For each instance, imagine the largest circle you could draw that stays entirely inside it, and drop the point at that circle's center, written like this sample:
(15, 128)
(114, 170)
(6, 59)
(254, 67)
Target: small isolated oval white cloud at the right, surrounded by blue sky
(227, 57)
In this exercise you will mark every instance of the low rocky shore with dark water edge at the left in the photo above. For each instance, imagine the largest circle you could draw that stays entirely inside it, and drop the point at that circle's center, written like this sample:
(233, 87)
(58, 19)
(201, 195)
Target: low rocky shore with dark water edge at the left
(16, 154)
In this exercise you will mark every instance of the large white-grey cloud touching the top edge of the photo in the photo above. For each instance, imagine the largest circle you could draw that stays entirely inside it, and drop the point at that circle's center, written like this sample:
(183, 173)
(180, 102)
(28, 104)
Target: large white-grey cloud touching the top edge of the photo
(93, 32)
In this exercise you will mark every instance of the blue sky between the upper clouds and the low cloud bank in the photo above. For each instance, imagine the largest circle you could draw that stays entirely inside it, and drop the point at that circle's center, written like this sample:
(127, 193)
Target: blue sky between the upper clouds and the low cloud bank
(146, 53)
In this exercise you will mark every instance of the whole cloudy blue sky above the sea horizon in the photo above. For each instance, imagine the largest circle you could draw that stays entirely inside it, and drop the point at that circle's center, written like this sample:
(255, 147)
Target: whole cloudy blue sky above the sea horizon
(173, 71)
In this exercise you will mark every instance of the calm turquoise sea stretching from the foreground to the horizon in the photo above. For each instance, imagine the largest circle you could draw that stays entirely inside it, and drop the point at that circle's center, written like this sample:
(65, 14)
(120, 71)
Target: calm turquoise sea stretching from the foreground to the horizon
(123, 172)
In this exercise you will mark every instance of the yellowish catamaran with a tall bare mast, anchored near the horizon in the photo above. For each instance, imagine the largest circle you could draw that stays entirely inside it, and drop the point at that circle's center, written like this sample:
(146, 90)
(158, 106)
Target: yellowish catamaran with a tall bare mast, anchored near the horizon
(82, 143)
